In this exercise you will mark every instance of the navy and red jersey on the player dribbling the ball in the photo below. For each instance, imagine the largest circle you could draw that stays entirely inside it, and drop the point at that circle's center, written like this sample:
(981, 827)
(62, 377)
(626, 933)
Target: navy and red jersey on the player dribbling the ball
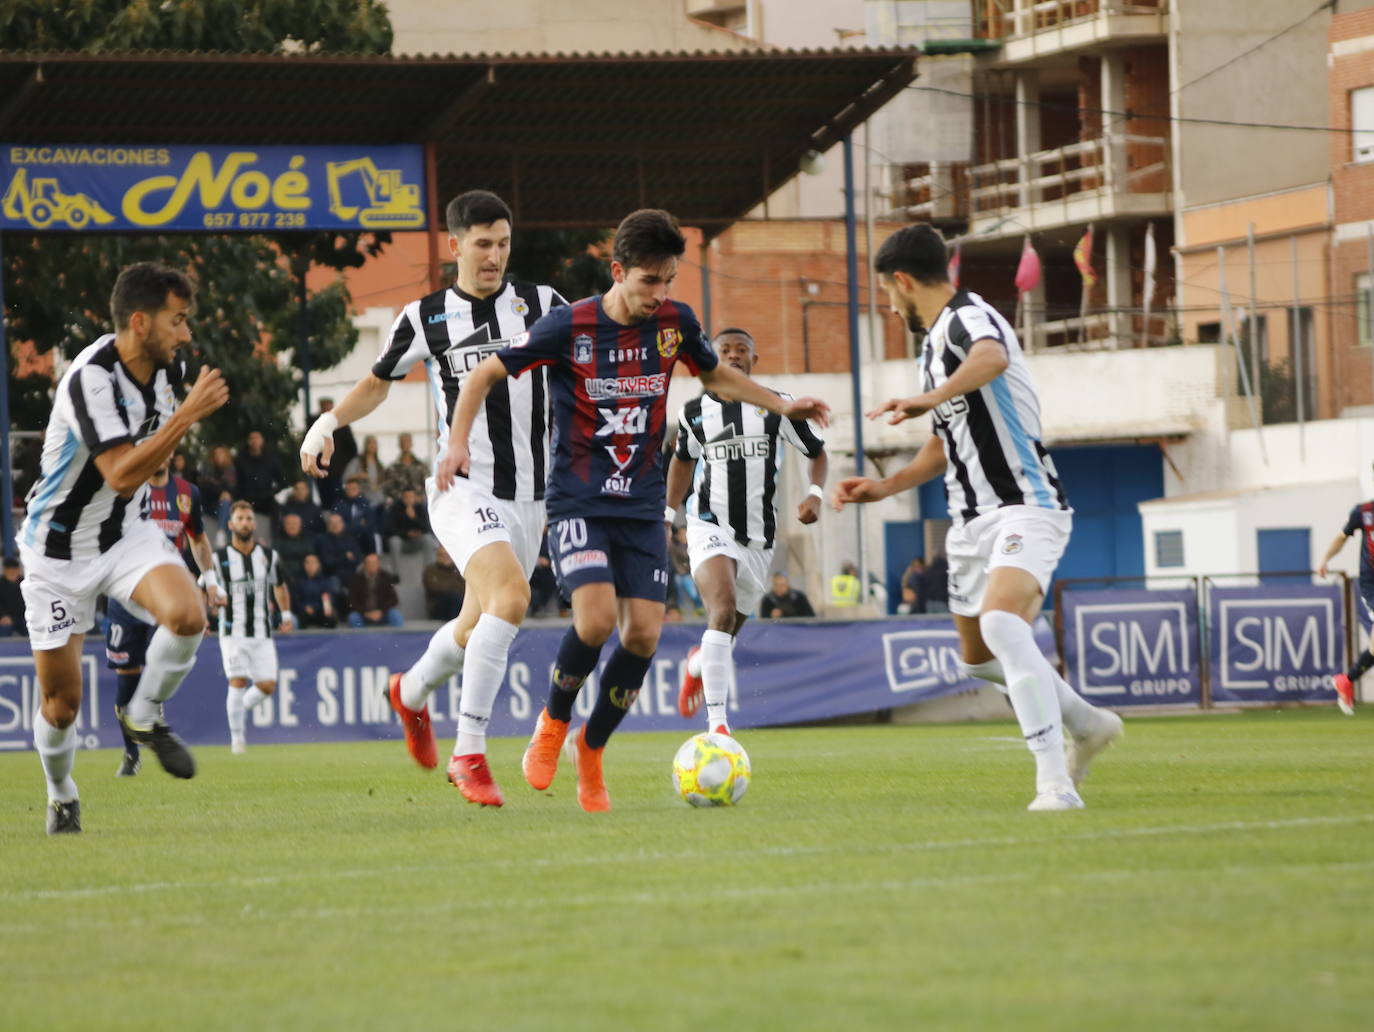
(609, 384)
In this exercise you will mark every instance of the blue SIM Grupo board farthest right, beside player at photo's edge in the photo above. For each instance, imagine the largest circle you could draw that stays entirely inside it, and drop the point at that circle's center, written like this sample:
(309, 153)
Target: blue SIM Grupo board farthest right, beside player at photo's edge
(1277, 644)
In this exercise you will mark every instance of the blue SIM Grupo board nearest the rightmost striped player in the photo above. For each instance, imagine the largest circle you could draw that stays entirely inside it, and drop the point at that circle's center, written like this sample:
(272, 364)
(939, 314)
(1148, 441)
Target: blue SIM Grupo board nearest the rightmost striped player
(1133, 648)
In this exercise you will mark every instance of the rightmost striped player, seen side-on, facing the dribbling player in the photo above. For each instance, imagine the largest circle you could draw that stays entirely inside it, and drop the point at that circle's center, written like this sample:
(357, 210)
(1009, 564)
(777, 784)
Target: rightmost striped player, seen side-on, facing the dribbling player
(1011, 516)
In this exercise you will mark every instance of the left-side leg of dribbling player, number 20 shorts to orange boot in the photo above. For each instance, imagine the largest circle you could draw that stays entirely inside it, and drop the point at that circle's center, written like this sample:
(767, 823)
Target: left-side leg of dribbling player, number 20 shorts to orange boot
(581, 553)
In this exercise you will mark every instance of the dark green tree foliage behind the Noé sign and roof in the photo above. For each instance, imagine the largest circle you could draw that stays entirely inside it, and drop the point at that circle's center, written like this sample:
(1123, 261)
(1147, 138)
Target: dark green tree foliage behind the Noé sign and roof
(247, 321)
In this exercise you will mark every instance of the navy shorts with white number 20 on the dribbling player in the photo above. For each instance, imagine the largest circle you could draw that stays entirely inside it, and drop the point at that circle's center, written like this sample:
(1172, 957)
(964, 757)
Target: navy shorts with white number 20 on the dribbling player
(631, 554)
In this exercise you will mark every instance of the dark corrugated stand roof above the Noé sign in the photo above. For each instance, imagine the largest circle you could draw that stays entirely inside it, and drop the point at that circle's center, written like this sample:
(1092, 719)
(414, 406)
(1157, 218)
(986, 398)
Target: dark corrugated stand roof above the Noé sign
(575, 141)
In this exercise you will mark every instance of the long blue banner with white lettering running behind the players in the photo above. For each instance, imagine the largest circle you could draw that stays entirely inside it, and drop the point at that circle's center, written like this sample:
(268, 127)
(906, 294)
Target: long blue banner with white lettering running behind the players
(332, 686)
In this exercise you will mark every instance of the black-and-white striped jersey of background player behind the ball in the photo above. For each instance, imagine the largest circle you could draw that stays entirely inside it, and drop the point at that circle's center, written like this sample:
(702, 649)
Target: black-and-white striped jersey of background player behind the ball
(740, 451)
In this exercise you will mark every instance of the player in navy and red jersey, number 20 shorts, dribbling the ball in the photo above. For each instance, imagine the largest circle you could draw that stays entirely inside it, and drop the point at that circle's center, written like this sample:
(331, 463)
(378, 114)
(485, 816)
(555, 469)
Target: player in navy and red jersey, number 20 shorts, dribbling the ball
(611, 359)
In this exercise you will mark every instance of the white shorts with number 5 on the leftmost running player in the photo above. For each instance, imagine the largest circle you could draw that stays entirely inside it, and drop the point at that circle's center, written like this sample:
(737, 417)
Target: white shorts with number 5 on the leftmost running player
(60, 594)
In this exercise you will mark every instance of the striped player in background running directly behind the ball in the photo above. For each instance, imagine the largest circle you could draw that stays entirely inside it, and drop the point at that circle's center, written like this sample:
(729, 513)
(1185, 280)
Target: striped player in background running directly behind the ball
(726, 467)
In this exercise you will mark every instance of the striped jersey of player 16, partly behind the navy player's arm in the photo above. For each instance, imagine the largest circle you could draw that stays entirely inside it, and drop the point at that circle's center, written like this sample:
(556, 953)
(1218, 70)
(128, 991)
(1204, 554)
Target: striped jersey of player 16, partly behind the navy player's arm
(451, 333)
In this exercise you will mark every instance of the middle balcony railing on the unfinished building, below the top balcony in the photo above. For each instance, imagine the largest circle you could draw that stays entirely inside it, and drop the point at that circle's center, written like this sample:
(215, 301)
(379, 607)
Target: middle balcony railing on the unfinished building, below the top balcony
(1064, 172)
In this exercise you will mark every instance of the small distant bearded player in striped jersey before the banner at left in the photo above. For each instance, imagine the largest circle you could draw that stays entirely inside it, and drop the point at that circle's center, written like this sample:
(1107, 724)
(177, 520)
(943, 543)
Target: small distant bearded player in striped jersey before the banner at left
(252, 579)
